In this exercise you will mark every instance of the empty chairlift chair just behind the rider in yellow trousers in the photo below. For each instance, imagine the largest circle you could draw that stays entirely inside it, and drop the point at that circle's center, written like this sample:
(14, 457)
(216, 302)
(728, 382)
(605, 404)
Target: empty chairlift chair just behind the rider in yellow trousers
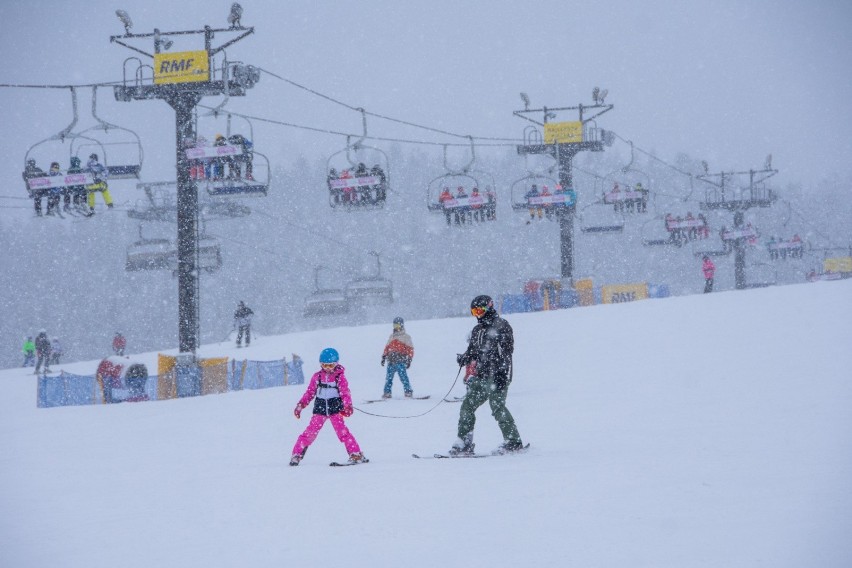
(121, 150)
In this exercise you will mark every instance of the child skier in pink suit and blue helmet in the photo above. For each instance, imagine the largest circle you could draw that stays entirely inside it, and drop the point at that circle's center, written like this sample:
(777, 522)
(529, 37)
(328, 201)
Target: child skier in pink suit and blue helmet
(333, 402)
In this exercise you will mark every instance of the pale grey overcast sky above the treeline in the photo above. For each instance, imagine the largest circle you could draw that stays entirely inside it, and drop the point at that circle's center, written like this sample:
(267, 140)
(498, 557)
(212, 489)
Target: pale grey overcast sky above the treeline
(724, 81)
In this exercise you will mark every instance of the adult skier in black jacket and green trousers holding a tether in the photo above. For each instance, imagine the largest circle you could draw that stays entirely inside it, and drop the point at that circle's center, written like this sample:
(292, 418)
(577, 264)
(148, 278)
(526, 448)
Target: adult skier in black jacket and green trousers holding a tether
(490, 347)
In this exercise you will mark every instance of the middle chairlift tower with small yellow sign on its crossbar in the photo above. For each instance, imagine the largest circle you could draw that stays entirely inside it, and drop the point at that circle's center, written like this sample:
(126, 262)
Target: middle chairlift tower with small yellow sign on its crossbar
(563, 141)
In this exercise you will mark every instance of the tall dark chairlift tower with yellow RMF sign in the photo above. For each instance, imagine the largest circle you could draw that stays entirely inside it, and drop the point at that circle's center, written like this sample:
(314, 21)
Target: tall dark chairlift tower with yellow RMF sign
(182, 79)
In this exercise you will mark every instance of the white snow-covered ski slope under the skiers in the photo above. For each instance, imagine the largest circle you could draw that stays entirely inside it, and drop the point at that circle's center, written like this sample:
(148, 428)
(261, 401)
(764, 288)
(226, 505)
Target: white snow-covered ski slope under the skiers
(692, 431)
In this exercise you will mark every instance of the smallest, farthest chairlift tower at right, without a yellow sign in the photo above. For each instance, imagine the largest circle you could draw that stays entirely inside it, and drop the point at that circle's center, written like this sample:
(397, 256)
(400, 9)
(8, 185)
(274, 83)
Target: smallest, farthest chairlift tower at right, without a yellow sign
(736, 200)
